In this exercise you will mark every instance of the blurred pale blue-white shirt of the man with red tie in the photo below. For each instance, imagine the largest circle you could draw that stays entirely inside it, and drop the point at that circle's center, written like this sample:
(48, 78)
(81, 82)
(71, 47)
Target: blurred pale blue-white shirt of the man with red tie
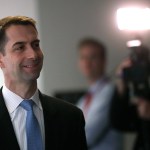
(99, 134)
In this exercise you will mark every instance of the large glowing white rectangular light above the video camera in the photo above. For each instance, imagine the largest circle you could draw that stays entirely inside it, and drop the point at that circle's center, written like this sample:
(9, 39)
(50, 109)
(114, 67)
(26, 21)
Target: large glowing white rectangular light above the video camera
(133, 18)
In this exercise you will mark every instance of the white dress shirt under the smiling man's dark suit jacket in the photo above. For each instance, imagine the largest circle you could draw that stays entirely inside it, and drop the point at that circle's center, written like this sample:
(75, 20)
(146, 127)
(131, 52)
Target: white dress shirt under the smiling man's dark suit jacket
(18, 115)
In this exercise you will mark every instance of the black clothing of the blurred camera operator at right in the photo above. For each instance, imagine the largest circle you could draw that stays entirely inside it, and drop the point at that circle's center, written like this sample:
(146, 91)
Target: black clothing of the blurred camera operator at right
(124, 117)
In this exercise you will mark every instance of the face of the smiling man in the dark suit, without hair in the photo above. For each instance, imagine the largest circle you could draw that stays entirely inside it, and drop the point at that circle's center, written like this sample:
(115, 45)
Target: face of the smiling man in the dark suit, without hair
(23, 58)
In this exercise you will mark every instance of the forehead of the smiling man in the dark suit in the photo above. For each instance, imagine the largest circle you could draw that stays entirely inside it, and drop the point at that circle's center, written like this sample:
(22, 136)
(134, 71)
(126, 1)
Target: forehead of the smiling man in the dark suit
(21, 33)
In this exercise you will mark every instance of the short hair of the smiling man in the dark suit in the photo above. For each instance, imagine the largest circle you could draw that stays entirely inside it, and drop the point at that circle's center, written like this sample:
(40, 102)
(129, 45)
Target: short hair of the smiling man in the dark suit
(6, 22)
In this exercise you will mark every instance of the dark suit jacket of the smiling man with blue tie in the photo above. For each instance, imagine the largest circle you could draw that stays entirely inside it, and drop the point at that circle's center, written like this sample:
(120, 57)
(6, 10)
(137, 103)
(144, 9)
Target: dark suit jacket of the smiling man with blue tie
(64, 126)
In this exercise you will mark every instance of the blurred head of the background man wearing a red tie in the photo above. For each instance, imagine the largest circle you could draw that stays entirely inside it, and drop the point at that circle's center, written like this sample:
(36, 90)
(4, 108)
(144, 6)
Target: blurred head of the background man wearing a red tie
(92, 58)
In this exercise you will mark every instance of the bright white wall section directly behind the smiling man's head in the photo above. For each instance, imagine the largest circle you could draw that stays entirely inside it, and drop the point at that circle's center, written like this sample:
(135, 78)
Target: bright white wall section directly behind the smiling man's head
(19, 7)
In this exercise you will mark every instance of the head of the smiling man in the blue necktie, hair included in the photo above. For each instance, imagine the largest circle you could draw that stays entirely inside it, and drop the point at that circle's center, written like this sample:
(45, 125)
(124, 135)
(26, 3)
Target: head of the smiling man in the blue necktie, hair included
(21, 58)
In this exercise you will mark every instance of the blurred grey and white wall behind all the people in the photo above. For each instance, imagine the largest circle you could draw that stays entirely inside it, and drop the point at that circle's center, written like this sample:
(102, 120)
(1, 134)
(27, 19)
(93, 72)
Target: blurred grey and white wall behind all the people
(61, 24)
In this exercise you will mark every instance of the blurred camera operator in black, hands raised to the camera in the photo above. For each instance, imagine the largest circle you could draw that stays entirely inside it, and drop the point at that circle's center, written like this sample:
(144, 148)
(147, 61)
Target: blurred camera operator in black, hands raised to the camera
(128, 113)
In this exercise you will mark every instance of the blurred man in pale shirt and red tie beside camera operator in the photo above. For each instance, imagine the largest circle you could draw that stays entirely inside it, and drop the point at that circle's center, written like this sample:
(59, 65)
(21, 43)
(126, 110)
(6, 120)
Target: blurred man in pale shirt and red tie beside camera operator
(96, 102)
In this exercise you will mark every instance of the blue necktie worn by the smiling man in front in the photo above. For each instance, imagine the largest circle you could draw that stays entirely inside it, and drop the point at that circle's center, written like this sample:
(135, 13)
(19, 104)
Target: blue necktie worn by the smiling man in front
(33, 133)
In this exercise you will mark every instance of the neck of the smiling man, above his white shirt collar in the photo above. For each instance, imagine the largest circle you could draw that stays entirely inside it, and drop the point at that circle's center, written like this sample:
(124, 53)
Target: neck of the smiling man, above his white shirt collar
(24, 90)
